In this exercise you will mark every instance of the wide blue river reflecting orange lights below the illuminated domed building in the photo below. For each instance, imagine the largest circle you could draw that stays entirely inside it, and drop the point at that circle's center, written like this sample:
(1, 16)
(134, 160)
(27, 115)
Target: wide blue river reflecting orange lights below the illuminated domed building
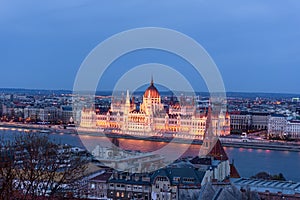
(247, 161)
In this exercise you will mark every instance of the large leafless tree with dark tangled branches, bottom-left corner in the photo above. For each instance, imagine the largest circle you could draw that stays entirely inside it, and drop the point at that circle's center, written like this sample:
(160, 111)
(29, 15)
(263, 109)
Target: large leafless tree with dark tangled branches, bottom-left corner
(39, 167)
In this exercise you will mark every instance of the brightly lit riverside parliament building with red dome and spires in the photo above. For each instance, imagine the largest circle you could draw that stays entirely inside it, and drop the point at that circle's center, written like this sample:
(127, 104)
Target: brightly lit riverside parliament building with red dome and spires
(150, 118)
